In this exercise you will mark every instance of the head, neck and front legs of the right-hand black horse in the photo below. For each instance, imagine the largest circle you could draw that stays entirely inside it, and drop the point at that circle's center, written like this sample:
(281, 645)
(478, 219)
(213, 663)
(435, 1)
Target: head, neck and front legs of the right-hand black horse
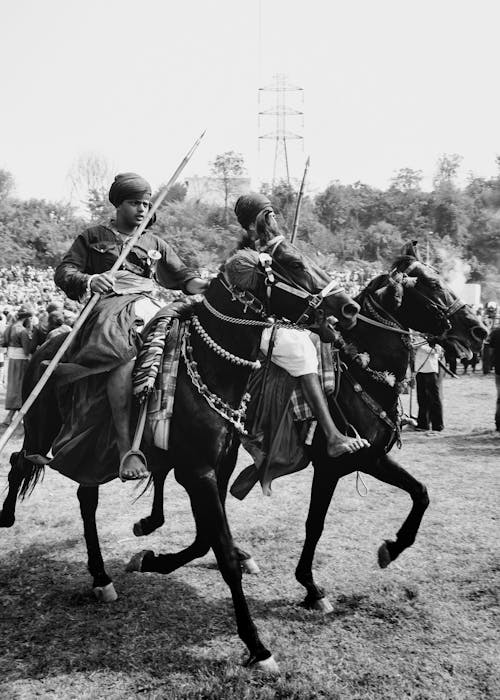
(371, 406)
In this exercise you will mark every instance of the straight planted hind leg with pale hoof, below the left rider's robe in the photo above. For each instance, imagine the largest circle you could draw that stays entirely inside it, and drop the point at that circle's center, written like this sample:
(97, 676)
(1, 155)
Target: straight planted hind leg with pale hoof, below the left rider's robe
(103, 588)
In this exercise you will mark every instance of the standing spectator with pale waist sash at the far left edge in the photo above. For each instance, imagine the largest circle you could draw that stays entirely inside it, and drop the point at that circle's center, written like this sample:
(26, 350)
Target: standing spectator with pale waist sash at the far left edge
(18, 340)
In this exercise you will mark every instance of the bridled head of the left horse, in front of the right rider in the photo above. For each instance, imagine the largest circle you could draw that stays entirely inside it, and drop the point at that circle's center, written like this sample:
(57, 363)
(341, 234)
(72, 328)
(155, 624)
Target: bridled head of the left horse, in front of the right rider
(294, 286)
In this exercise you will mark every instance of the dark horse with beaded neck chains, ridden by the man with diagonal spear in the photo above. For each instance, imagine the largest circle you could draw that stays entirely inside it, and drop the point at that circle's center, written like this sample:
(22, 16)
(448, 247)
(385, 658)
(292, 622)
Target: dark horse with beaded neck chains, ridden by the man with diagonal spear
(209, 403)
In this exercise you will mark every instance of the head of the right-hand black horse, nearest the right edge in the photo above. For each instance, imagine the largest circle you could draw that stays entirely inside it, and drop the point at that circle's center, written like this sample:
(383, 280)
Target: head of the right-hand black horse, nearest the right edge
(465, 332)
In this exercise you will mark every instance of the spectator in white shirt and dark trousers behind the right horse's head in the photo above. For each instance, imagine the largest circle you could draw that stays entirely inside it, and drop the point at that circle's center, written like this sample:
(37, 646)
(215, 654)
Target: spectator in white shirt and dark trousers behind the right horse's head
(430, 407)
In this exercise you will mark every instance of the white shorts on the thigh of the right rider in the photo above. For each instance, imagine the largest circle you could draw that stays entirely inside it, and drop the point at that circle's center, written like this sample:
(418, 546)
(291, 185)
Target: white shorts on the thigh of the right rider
(293, 351)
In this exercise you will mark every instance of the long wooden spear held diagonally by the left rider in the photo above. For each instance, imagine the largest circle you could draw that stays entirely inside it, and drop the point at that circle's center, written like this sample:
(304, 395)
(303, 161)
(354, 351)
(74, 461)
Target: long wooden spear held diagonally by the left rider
(131, 241)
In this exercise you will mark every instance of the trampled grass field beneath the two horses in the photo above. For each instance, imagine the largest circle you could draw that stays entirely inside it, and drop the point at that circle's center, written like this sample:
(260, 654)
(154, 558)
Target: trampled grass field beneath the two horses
(425, 627)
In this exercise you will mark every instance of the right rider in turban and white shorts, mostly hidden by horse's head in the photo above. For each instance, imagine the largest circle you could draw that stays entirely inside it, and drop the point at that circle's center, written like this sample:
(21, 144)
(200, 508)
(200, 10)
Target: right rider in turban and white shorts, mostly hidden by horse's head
(294, 350)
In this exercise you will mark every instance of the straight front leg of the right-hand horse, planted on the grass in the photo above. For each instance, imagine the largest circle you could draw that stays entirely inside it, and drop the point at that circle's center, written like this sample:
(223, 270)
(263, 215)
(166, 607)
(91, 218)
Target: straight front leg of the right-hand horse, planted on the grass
(323, 487)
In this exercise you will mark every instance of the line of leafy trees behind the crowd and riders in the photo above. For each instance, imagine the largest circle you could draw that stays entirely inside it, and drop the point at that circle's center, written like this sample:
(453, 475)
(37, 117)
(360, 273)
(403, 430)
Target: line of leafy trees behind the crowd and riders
(344, 225)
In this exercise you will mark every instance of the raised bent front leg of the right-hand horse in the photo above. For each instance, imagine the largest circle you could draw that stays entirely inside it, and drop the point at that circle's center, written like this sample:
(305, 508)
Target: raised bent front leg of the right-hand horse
(389, 471)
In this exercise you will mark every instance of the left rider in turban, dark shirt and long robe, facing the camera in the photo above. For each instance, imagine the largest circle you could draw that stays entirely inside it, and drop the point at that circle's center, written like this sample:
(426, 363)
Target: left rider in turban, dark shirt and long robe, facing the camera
(107, 343)
